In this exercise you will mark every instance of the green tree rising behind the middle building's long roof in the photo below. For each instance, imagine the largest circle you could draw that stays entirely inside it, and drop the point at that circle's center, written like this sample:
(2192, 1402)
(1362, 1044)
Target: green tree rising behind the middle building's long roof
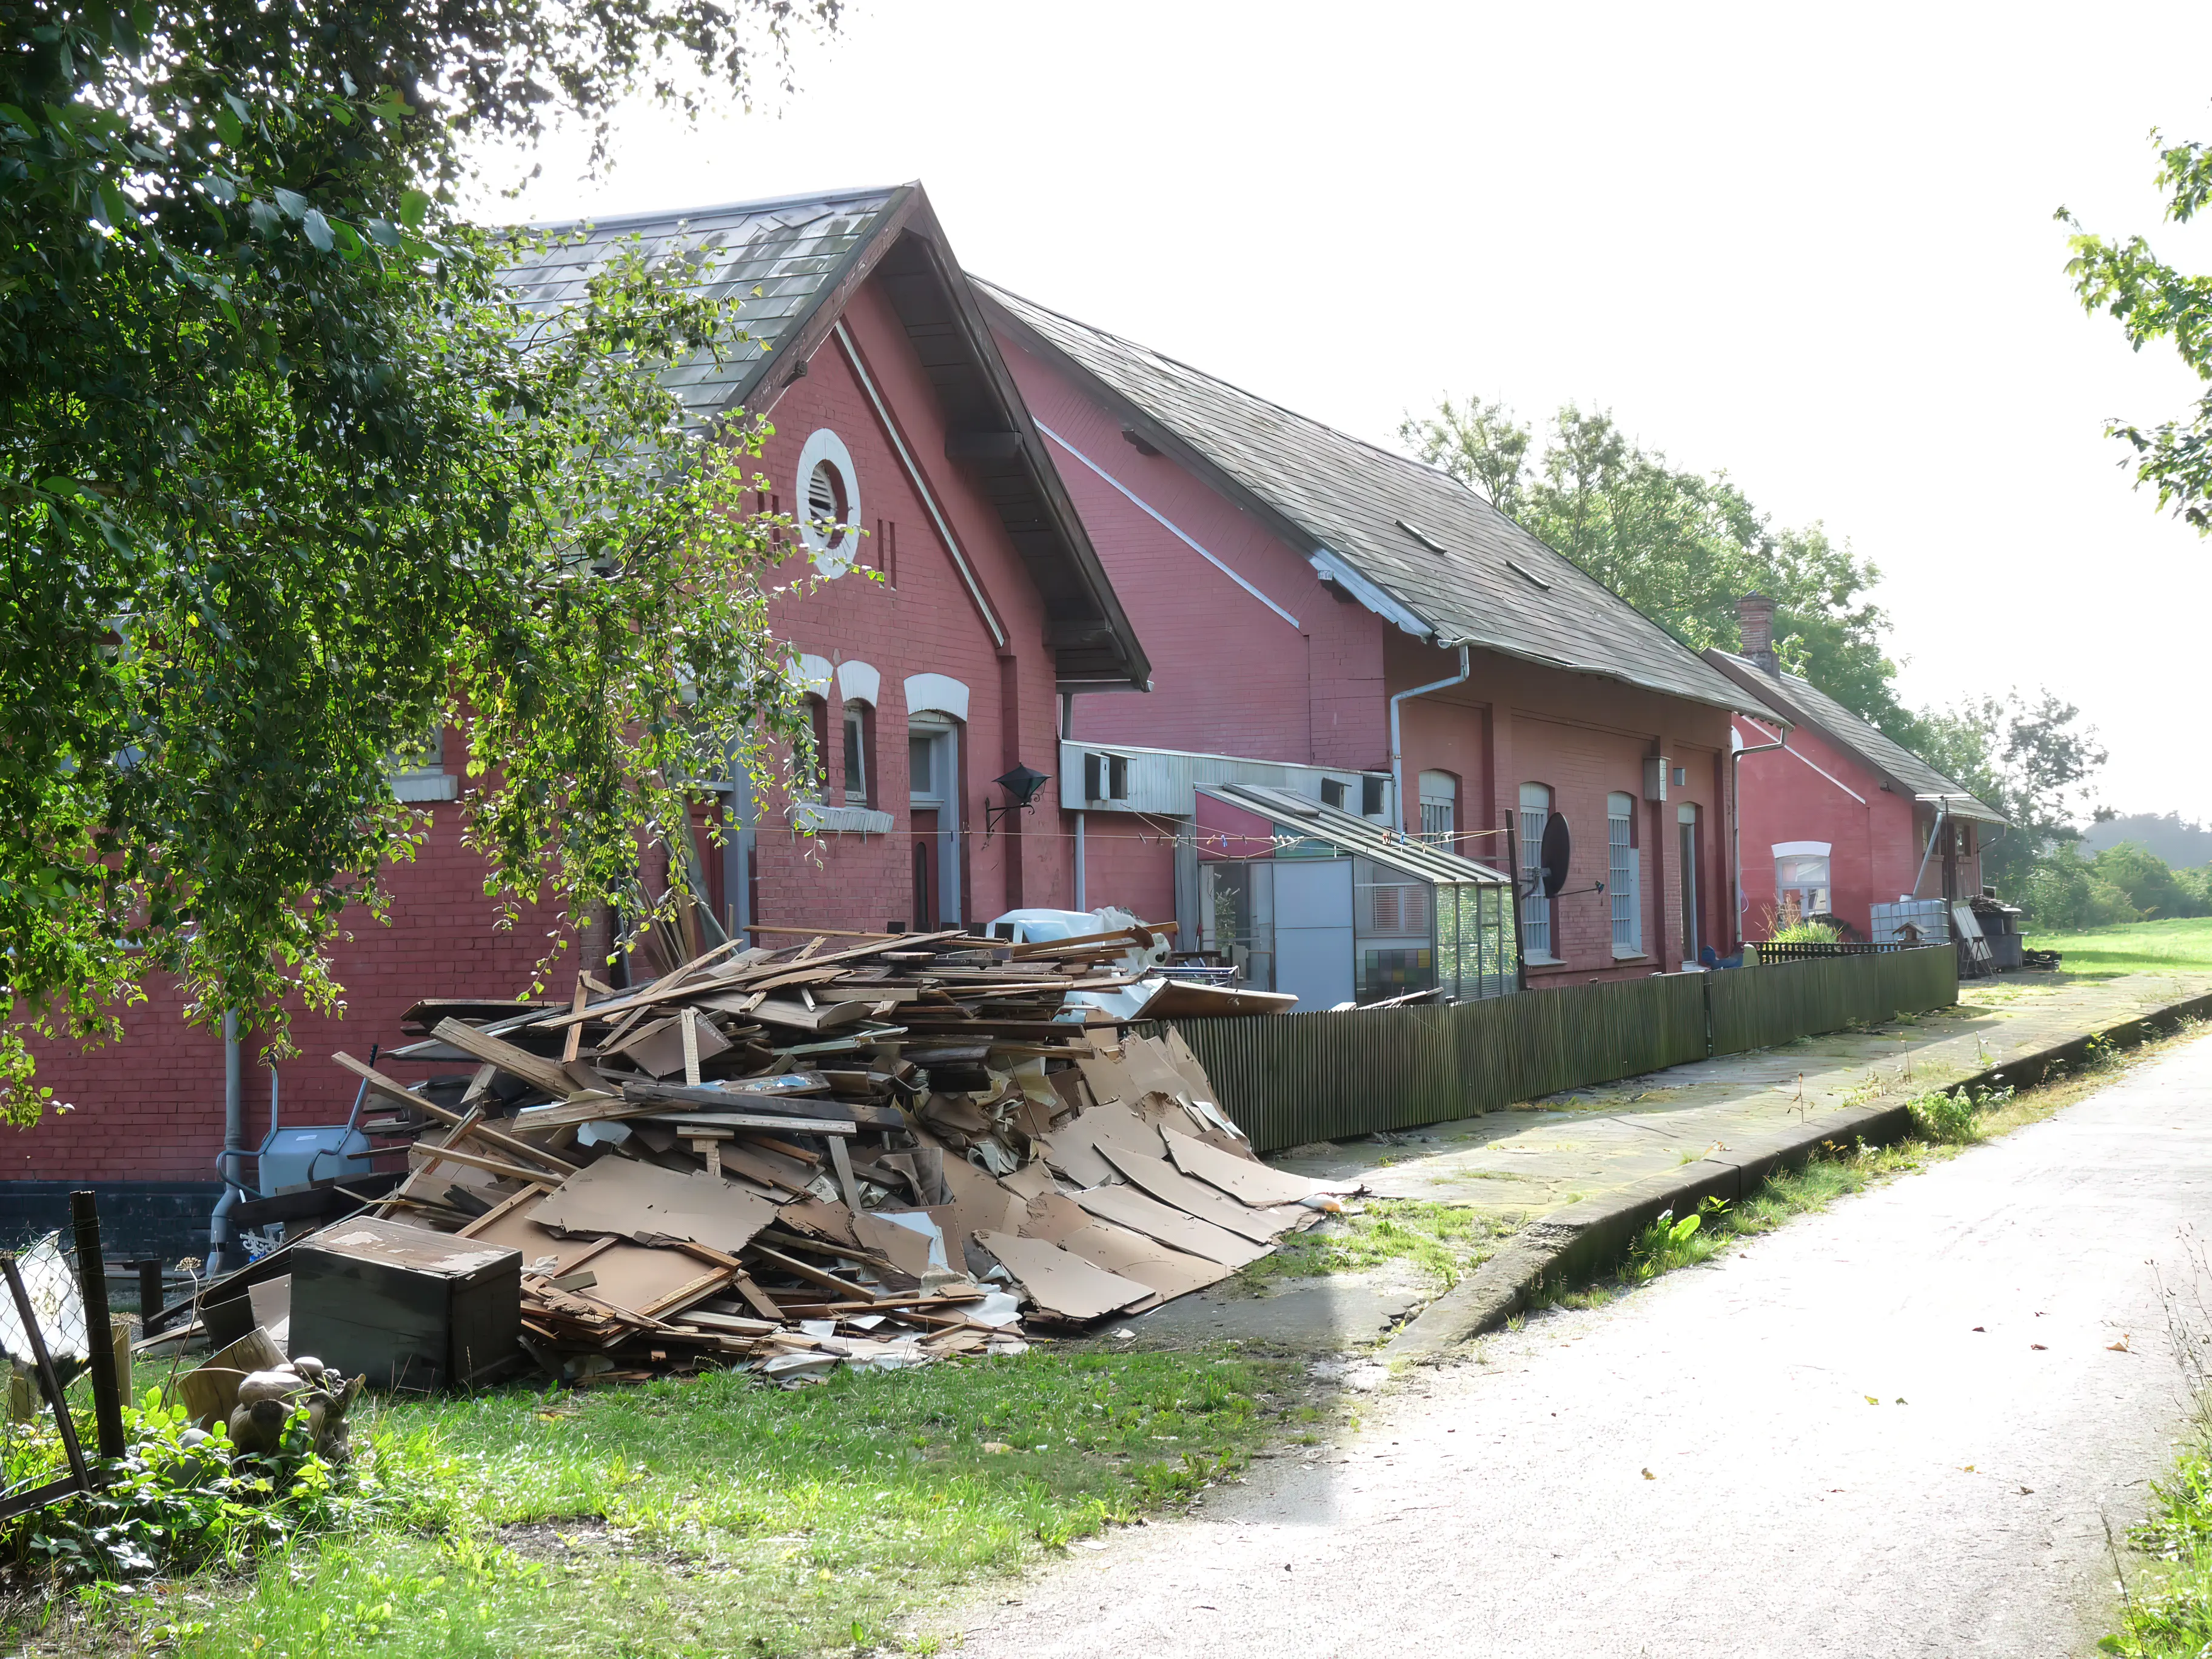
(1678, 545)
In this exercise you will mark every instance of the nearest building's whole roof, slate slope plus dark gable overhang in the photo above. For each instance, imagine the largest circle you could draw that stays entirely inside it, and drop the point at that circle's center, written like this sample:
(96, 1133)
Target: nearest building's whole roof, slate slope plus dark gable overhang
(793, 264)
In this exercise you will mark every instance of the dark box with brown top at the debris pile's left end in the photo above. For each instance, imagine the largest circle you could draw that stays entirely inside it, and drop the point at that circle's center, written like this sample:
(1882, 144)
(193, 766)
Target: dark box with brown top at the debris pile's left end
(404, 1306)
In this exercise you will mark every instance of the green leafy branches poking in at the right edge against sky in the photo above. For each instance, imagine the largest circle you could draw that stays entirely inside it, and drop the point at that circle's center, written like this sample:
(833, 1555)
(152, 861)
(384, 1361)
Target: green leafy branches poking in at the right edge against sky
(2156, 302)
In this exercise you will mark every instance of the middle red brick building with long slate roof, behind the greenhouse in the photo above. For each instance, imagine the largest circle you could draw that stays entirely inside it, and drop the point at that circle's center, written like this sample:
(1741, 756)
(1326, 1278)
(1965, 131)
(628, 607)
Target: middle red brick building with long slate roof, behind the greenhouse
(1388, 643)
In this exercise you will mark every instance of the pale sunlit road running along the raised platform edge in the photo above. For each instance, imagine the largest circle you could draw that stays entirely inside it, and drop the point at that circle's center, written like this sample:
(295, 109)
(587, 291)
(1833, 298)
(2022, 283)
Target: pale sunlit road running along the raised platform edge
(1503, 1507)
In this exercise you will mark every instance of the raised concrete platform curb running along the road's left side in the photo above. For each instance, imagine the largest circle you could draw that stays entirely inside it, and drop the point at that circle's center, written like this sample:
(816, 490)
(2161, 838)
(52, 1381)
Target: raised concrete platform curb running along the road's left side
(1587, 1238)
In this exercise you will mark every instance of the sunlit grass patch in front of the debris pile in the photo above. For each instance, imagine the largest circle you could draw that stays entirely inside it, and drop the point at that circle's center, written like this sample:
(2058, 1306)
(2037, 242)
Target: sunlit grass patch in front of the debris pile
(718, 1516)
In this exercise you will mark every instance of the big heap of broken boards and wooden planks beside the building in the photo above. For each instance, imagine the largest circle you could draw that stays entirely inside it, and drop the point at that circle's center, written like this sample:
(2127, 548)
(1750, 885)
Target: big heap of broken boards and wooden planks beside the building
(837, 1154)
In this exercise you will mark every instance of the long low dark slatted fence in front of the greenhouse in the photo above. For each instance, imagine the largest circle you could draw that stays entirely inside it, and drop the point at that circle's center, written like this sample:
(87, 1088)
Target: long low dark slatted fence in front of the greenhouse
(1322, 1076)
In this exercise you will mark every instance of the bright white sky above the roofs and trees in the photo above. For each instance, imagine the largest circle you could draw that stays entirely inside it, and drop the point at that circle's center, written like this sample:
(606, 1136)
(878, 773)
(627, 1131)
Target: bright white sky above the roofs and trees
(1808, 247)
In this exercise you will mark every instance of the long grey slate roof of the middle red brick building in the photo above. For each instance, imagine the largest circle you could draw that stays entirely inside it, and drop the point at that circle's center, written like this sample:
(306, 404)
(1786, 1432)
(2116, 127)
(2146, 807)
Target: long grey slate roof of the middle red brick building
(1412, 543)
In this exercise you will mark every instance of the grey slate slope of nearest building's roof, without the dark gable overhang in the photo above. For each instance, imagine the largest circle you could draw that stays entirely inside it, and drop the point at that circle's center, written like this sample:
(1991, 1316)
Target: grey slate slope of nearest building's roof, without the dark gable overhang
(793, 251)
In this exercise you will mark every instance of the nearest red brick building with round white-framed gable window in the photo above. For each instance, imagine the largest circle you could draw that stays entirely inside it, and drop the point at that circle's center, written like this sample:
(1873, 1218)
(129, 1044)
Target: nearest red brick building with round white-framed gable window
(961, 603)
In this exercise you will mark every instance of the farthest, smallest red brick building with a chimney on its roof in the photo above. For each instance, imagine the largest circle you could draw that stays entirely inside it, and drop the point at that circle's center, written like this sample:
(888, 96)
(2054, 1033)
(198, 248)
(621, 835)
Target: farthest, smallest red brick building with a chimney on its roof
(1835, 813)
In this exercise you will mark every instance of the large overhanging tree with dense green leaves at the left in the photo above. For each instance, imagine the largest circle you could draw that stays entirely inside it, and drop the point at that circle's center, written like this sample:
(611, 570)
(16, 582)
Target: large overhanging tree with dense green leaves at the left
(289, 479)
